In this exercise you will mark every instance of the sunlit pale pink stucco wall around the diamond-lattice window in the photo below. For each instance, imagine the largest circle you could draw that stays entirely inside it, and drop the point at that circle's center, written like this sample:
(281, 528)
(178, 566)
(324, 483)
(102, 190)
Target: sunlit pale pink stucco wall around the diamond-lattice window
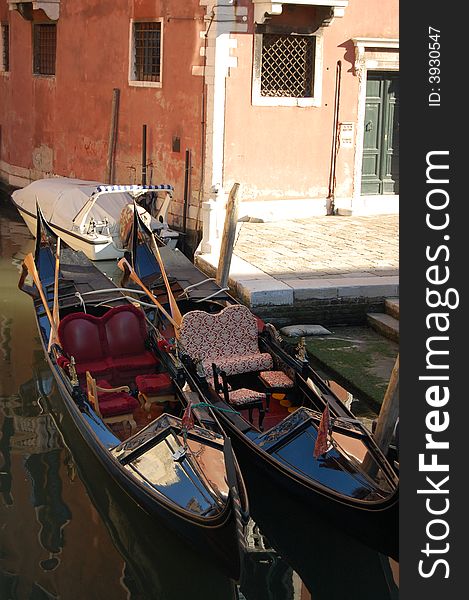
(285, 152)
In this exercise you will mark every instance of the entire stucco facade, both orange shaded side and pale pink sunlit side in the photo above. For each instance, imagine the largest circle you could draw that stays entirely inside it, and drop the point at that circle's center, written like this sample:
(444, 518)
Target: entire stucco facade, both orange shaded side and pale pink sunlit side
(60, 125)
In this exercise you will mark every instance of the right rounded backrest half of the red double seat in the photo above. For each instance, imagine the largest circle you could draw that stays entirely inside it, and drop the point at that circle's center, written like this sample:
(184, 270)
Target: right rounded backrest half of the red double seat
(125, 331)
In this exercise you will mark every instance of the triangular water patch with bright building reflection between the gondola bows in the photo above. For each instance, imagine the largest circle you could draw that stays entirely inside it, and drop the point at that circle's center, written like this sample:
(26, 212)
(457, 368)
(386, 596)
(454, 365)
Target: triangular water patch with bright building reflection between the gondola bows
(266, 575)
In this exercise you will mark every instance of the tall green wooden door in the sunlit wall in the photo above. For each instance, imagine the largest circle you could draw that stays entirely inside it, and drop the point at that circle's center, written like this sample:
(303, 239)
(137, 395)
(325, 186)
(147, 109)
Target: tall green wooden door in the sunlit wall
(380, 169)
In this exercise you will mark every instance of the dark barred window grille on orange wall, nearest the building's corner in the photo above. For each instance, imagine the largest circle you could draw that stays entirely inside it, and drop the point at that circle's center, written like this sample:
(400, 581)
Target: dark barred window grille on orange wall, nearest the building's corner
(147, 51)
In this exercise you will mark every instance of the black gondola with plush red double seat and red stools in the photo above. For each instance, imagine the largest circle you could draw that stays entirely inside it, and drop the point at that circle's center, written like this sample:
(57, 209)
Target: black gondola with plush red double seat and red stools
(98, 342)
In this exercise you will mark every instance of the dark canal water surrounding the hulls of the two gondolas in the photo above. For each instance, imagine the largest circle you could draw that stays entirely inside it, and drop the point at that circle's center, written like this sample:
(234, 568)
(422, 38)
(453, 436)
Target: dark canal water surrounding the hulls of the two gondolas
(68, 532)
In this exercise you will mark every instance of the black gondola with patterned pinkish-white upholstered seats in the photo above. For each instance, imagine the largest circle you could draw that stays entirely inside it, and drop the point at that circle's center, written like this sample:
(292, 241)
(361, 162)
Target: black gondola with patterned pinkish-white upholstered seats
(243, 370)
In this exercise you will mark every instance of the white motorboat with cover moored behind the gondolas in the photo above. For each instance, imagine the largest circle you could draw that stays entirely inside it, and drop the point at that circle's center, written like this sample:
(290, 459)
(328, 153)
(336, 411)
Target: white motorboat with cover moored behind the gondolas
(94, 217)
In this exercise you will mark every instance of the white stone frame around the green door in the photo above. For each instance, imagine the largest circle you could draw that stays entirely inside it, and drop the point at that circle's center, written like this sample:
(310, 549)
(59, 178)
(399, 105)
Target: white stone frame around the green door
(371, 54)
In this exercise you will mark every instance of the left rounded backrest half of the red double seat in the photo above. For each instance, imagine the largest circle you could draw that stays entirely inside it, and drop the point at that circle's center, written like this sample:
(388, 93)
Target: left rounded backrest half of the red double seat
(81, 337)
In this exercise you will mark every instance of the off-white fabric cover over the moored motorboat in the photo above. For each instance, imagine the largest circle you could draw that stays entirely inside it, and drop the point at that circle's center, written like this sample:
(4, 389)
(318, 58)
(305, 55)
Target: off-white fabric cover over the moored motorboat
(61, 198)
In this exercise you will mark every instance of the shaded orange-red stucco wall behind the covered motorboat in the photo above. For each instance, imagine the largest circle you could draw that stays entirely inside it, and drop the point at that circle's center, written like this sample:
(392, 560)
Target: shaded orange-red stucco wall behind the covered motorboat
(60, 125)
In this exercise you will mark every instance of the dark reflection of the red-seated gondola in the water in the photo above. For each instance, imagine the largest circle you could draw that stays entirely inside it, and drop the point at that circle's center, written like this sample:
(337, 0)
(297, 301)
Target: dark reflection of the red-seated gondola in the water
(152, 555)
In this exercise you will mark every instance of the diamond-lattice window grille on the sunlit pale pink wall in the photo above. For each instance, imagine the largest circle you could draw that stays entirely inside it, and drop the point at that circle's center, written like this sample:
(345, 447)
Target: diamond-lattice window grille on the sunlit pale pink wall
(288, 65)
